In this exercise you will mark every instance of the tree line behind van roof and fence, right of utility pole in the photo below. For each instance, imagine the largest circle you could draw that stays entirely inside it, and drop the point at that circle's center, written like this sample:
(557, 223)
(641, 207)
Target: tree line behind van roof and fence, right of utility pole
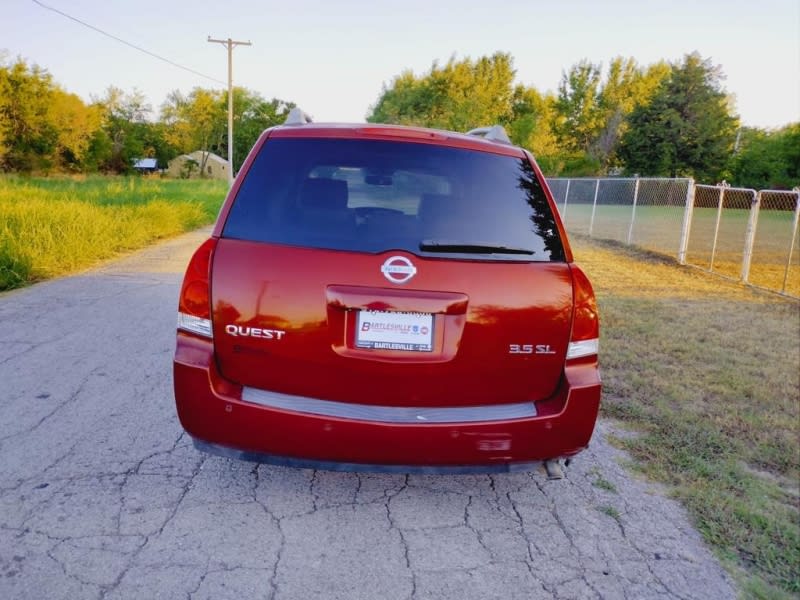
(664, 119)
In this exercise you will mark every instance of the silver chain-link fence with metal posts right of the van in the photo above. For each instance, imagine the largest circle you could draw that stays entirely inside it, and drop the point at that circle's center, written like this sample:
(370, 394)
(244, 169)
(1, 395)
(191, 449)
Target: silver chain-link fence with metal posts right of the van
(743, 234)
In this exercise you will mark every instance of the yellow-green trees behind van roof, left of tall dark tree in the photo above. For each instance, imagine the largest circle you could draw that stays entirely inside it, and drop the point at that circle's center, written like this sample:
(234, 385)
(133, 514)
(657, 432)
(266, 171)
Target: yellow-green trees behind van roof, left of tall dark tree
(574, 133)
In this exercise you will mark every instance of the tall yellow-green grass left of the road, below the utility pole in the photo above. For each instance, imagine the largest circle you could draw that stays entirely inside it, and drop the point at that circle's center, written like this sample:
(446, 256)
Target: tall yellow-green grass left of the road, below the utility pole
(53, 226)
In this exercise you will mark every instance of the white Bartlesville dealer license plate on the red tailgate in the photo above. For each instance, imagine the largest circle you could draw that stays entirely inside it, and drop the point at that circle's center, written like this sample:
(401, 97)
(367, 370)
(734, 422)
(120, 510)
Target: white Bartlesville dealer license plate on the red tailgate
(381, 330)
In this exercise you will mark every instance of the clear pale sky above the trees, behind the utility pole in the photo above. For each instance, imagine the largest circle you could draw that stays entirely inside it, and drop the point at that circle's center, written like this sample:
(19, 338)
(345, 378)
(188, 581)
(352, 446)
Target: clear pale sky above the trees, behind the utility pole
(332, 58)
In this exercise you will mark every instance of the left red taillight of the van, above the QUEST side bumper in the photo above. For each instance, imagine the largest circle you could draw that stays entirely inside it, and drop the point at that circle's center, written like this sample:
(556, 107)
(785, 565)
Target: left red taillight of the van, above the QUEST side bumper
(194, 306)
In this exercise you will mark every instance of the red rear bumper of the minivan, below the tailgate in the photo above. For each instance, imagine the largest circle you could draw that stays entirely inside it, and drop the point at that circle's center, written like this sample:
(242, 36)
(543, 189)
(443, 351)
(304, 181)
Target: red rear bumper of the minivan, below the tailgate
(212, 411)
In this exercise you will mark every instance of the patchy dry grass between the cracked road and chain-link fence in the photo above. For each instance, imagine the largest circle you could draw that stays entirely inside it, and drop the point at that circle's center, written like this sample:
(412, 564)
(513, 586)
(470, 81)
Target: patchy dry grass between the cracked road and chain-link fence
(706, 372)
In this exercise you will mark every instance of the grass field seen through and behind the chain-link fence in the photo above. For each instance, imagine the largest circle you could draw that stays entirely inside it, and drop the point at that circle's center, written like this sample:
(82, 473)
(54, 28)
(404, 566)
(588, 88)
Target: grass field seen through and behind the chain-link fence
(658, 228)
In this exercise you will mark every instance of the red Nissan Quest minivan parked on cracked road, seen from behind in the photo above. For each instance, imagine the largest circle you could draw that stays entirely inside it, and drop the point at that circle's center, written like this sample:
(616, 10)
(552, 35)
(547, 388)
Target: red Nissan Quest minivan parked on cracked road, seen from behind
(387, 298)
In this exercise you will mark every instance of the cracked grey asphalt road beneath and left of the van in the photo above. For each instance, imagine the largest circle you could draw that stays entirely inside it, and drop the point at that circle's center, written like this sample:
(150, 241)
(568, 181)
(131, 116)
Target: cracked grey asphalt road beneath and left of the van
(103, 496)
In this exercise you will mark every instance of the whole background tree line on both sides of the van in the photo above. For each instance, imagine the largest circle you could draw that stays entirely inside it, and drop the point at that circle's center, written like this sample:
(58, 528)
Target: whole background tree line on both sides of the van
(664, 119)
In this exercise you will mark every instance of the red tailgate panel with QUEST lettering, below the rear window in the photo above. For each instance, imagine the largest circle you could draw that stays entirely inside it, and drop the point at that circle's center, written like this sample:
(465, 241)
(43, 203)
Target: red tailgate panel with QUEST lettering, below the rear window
(288, 320)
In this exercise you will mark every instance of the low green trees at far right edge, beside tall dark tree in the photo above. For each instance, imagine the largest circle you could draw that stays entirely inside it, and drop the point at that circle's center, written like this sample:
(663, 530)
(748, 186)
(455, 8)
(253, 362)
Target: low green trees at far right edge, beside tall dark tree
(768, 160)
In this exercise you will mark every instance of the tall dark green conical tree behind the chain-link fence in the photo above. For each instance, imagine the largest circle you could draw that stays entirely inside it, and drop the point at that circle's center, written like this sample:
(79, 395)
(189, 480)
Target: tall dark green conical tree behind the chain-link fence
(686, 130)
